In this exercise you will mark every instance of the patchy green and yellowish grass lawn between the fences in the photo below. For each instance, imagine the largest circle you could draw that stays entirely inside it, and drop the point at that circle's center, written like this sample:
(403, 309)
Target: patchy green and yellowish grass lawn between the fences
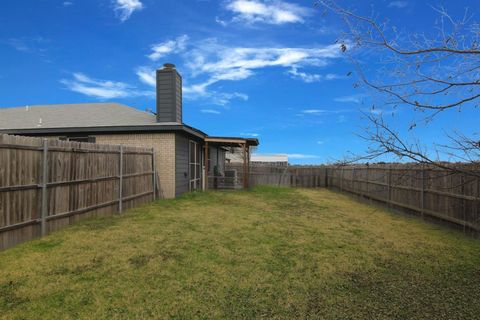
(266, 253)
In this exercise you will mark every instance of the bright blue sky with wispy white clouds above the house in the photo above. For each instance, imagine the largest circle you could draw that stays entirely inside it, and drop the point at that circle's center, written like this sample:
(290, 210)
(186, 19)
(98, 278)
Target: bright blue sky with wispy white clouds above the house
(267, 69)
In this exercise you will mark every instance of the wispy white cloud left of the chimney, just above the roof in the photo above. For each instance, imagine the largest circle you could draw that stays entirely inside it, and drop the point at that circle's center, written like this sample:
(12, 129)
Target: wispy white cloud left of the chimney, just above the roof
(102, 89)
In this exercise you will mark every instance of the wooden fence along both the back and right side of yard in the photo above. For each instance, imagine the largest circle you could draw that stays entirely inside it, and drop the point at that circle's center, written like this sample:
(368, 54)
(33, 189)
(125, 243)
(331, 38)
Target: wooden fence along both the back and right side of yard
(451, 197)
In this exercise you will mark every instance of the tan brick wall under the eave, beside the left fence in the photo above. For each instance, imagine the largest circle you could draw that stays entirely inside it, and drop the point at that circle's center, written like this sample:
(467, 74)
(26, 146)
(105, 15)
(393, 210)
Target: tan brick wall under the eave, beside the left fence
(164, 145)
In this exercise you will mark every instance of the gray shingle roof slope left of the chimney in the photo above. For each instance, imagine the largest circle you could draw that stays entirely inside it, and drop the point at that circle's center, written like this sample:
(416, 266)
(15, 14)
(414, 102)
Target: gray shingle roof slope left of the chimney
(75, 116)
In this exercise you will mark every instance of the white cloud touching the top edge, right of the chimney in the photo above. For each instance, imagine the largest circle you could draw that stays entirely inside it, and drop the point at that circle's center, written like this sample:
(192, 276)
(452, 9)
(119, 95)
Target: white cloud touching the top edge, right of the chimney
(268, 11)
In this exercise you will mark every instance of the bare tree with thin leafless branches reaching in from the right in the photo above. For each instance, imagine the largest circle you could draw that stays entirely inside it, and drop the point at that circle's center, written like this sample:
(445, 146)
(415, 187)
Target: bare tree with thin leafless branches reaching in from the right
(429, 73)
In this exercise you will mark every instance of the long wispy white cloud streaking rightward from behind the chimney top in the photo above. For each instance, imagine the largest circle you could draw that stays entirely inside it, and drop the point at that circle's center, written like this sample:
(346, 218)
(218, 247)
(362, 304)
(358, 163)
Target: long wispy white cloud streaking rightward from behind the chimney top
(207, 62)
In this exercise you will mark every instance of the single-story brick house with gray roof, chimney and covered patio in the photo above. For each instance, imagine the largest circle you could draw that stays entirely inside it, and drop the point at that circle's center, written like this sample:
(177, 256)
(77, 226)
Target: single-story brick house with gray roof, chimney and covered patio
(180, 149)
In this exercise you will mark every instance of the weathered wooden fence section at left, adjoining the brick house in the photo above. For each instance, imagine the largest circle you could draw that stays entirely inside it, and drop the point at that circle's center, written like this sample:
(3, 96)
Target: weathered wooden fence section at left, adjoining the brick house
(48, 184)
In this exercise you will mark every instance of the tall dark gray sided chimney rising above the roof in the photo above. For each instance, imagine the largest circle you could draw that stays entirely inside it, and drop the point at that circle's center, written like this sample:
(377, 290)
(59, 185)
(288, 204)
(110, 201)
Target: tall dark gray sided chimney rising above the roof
(169, 94)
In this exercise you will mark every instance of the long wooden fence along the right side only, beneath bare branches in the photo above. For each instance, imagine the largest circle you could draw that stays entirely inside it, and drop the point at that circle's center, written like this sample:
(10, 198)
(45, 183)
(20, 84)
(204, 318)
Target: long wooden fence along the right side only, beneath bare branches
(448, 196)
